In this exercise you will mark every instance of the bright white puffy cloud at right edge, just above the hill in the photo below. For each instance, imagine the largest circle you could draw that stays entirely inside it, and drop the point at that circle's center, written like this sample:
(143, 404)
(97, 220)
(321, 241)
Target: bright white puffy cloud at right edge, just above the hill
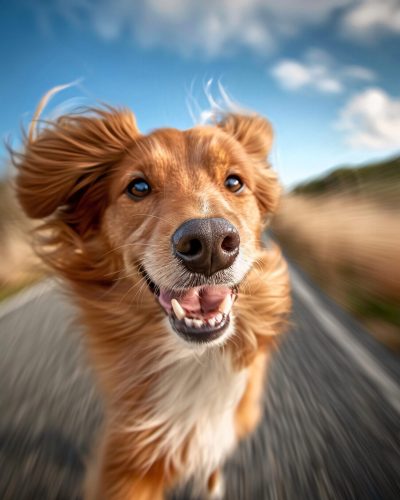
(372, 120)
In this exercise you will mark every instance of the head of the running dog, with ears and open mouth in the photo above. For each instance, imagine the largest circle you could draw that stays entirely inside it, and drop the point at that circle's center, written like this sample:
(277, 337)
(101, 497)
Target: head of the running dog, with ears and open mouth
(182, 211)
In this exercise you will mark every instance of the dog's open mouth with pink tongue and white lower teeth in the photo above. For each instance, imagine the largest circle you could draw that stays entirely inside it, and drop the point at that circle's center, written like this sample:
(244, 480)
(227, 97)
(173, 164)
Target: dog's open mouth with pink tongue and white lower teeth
(199, 314)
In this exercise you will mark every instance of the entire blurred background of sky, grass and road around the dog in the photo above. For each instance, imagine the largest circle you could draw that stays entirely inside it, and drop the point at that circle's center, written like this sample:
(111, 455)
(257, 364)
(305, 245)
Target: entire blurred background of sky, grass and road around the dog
(327, 75)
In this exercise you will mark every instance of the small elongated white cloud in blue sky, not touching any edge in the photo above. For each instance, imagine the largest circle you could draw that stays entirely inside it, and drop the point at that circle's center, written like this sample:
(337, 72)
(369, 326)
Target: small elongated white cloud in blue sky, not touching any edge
(319, 71)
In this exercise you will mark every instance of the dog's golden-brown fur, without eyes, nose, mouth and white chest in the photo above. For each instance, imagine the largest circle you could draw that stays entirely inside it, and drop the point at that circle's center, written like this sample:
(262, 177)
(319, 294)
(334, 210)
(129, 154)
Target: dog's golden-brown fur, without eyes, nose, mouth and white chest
(73, 175)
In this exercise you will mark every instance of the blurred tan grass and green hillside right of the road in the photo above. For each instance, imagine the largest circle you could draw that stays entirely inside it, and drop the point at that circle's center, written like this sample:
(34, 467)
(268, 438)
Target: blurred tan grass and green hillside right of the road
(344, 230)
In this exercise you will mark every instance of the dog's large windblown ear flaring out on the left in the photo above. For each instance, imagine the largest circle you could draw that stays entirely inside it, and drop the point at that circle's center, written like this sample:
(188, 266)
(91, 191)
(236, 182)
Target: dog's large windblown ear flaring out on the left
(63, 178)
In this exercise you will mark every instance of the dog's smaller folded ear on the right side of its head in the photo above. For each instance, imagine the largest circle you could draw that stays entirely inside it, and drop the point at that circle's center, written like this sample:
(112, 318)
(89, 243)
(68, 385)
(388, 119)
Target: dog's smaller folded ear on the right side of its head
(255, 135)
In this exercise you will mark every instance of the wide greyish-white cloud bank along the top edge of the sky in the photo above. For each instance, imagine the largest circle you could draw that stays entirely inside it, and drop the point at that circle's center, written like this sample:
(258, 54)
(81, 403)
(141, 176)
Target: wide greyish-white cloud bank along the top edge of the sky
(208, 27)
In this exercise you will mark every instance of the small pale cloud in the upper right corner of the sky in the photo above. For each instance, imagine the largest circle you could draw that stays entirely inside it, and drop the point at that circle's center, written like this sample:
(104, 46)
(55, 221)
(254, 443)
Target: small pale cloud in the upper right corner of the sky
(369, 18)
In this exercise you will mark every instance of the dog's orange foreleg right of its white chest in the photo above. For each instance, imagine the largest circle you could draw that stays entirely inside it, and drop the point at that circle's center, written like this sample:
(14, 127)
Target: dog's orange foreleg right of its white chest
(249, 410)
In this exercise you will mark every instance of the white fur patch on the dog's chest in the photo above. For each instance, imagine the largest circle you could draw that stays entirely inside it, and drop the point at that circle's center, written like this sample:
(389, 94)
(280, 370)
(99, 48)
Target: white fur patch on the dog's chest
(200, 397)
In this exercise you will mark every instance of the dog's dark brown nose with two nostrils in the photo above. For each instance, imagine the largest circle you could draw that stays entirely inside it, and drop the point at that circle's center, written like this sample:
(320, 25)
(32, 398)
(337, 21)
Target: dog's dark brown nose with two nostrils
(206, 245)
